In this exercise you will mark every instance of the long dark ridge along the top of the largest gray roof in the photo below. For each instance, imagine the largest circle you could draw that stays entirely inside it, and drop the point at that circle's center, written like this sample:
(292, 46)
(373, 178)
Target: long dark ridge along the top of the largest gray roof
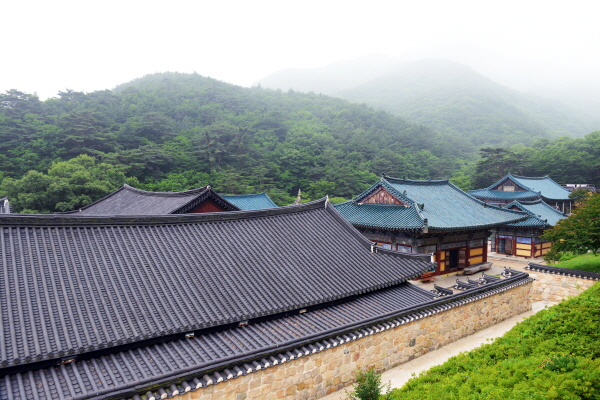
(168, 219)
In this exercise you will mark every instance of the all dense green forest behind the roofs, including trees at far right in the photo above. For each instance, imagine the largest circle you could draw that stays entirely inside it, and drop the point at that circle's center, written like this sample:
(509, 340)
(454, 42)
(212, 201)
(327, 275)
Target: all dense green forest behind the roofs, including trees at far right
(173, 131)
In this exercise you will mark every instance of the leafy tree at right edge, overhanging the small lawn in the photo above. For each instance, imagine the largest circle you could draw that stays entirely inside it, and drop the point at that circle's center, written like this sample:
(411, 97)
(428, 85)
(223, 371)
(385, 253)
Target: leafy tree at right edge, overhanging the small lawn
(579, 233)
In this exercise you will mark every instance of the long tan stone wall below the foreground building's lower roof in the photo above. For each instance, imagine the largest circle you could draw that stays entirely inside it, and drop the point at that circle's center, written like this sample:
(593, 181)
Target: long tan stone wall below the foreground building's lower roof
(319, 374)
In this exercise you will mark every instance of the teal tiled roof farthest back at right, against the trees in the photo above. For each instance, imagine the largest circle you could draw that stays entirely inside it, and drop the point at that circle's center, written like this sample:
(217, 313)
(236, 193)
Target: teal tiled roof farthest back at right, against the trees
(543, 187)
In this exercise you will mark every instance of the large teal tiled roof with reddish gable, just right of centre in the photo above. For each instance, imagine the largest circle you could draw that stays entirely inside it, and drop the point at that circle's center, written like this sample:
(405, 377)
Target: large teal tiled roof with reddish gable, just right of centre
(437, 205)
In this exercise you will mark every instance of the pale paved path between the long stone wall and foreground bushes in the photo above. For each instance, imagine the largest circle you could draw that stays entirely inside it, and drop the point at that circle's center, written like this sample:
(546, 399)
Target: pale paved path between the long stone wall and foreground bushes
(400, 375)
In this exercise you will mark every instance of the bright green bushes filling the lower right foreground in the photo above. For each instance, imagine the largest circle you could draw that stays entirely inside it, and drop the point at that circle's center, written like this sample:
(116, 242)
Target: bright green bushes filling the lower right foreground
(554, 354)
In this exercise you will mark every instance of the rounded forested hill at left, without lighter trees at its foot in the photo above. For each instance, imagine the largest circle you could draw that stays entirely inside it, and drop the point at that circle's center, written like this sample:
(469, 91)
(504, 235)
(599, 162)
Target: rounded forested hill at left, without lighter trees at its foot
(174, 131)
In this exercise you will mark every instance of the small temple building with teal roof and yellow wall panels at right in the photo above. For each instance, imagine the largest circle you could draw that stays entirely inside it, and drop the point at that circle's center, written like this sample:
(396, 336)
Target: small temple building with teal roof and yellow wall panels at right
(523, 238)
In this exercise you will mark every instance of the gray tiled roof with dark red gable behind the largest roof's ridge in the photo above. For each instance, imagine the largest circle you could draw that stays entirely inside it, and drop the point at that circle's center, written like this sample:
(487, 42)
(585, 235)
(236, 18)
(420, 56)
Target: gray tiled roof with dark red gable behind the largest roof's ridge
(131, 201)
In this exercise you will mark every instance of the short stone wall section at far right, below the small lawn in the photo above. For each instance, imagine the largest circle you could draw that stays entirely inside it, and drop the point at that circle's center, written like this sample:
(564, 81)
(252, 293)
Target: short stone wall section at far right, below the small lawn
(553, 287)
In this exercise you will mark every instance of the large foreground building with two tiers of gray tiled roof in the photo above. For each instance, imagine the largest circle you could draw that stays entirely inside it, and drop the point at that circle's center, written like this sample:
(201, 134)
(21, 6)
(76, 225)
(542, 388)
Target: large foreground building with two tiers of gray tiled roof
(132, 307)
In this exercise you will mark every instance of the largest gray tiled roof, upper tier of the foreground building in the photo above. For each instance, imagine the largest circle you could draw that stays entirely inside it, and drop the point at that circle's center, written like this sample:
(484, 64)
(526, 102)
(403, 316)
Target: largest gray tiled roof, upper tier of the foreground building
(71, 286)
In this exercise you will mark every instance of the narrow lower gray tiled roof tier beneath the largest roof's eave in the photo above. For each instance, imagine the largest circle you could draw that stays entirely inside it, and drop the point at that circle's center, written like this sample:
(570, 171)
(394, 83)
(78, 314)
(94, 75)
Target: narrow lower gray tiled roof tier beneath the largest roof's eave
(100, 375)
